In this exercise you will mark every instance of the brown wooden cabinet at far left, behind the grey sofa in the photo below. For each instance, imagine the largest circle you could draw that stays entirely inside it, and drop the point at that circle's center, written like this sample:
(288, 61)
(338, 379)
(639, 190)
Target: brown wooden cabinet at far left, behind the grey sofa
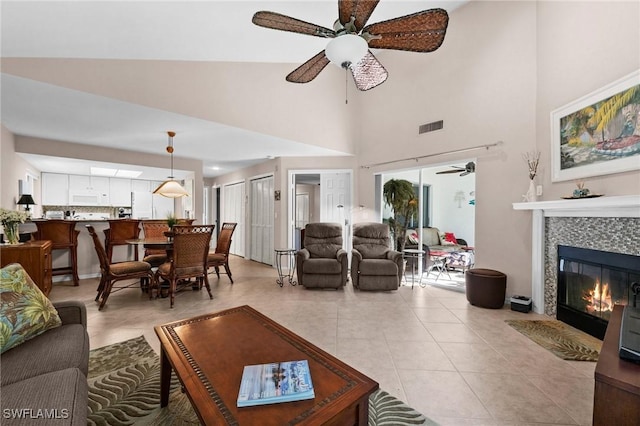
(35, 258)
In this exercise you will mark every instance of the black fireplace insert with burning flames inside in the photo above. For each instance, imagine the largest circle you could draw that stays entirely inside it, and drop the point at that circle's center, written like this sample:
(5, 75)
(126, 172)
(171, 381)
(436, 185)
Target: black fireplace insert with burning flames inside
(590, 283)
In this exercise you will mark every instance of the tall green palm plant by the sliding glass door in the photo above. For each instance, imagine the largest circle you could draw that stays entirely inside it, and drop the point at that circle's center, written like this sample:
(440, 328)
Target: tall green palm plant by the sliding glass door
(400, 196)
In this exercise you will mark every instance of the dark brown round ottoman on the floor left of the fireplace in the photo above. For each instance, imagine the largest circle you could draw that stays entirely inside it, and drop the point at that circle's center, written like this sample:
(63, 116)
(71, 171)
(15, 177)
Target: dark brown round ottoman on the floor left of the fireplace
(485, 287)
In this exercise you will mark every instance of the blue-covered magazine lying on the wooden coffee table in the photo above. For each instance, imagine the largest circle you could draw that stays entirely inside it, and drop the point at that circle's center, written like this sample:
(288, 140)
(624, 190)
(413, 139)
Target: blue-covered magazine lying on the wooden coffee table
(274, 383)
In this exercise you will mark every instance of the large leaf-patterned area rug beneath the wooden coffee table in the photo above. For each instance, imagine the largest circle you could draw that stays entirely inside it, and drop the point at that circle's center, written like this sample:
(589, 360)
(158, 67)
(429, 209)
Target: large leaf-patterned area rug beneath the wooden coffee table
(124, 389)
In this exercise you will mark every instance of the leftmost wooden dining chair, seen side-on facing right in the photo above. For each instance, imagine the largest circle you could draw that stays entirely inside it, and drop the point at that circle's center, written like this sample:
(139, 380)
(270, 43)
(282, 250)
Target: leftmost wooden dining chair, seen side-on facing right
(114, 272)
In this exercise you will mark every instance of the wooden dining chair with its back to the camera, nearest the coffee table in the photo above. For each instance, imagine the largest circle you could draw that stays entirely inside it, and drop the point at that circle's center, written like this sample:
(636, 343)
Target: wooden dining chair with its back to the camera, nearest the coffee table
(189, 258)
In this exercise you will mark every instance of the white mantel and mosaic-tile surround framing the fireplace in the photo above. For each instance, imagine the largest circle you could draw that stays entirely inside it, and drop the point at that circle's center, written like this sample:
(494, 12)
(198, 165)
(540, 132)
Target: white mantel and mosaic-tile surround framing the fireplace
(609, 224)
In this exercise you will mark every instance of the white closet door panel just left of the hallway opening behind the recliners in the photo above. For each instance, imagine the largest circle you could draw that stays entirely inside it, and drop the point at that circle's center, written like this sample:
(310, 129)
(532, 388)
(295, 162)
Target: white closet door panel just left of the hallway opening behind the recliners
(262, 210)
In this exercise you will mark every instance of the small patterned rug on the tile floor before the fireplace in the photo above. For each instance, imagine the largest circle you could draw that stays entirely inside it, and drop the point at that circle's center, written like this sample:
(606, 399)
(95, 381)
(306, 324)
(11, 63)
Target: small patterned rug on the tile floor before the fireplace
(561, 339)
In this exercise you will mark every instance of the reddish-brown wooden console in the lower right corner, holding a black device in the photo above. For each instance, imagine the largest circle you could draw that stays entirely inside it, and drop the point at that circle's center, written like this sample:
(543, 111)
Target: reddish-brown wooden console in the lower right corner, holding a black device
(616, 400)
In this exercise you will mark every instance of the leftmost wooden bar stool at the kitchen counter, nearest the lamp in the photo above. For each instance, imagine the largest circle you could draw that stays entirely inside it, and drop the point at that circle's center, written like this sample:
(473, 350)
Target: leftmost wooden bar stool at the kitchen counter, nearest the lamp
(63, 236)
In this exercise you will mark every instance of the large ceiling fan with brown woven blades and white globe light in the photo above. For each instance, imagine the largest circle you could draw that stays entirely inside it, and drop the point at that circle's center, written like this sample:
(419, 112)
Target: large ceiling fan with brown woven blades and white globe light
(349, 48)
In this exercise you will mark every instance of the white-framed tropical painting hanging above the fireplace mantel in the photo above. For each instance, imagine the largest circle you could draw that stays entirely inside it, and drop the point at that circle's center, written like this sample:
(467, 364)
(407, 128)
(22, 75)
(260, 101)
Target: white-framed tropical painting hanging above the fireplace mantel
(599, 133)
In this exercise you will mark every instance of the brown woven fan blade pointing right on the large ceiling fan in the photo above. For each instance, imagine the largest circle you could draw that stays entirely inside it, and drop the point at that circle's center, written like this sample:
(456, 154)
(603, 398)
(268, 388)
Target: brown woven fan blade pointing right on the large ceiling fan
(419, 32)
